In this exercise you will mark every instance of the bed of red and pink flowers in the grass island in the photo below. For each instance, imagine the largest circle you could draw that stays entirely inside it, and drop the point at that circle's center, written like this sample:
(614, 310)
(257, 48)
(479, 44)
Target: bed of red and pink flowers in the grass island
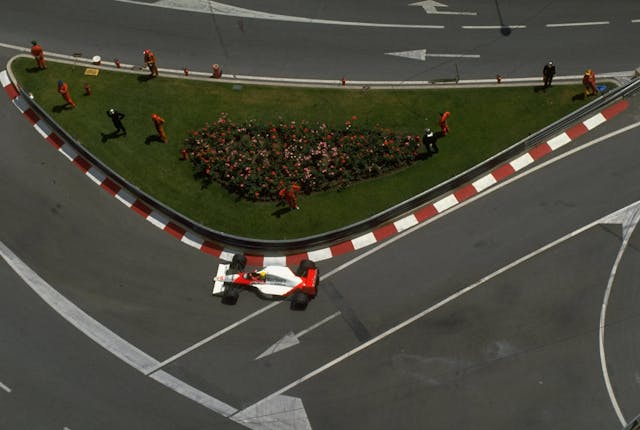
(256, 161)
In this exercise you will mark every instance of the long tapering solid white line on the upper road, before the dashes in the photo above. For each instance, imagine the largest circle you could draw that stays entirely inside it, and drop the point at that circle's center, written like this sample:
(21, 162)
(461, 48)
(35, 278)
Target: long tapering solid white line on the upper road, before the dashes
(215, 8)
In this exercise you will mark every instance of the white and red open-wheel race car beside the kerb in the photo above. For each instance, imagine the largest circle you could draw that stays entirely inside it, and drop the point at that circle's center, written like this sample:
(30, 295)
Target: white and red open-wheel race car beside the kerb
(272, 282)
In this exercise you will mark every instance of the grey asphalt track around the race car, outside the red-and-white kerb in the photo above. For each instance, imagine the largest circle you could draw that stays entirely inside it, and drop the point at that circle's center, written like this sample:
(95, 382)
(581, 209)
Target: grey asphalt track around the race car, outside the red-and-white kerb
(518, 350)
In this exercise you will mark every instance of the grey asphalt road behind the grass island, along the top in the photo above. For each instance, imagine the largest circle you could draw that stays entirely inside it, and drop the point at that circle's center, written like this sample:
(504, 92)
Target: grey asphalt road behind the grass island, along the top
(272, 48)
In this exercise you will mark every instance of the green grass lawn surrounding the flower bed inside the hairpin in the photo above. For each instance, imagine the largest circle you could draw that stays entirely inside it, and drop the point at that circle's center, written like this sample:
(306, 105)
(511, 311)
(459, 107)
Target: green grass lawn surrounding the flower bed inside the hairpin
(484, 121)
